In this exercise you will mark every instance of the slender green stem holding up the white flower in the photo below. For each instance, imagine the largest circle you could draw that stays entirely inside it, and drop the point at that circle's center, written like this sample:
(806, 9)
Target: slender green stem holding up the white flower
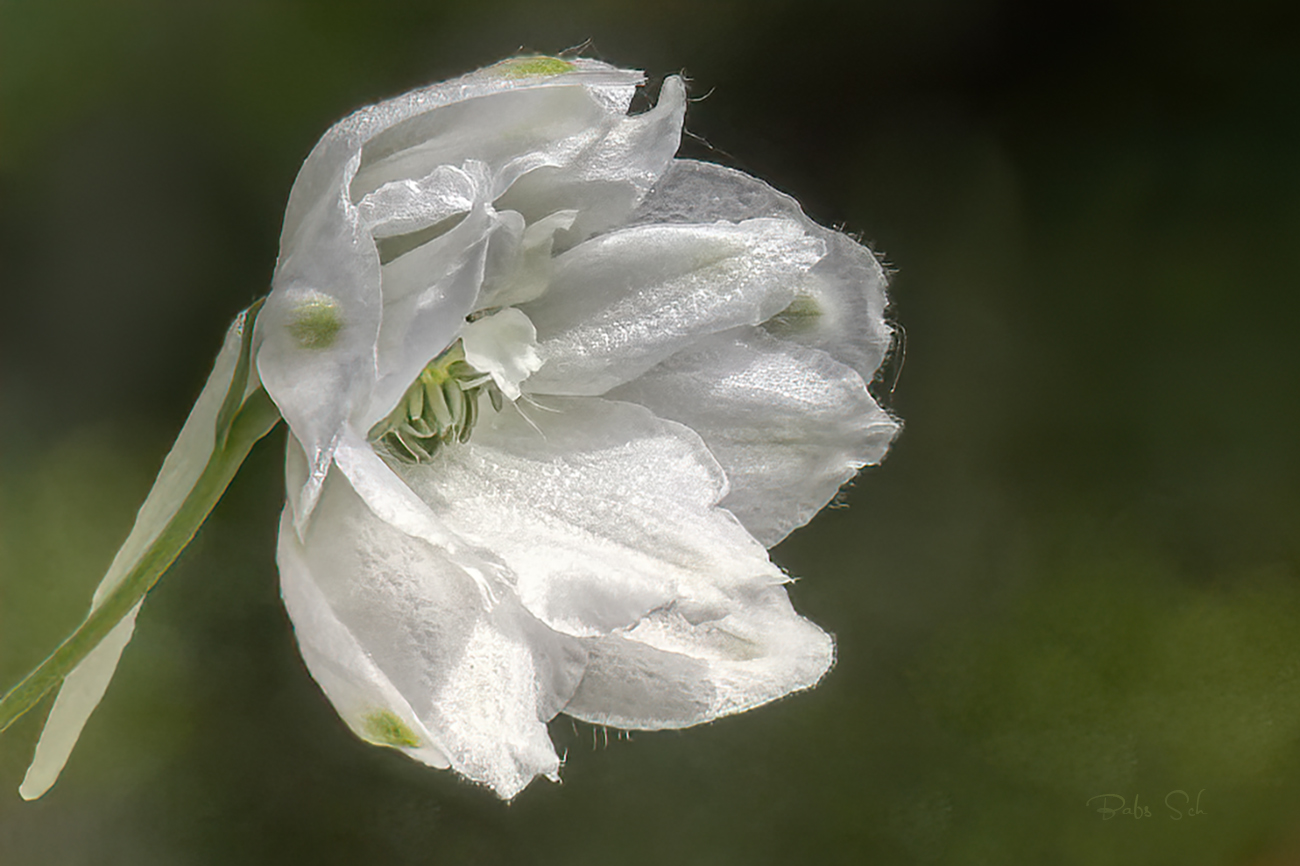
(255, 419)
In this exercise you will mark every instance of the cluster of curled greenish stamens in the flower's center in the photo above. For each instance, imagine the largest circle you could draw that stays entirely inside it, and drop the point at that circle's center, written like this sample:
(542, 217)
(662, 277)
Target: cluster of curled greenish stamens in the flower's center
(439, 409)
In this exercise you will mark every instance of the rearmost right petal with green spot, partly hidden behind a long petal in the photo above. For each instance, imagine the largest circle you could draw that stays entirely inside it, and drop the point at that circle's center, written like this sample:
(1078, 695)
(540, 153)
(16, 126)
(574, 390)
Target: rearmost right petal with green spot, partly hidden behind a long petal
(847, 289)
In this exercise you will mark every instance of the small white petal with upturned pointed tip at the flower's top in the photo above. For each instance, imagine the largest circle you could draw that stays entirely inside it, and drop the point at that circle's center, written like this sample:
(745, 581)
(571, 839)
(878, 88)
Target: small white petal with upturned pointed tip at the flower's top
(605, 175)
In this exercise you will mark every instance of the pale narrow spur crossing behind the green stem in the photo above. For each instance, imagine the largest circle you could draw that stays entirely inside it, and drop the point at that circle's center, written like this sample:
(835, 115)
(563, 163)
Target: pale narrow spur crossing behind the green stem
(84, 689)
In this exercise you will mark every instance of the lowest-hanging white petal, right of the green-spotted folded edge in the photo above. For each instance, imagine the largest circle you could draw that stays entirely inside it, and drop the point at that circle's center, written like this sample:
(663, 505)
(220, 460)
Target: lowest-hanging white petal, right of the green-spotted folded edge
(483, 682)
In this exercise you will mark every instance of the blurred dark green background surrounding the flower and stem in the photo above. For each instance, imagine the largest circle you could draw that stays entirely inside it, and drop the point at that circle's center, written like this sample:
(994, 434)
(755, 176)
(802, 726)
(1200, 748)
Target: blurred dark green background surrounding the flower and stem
(1076, 575)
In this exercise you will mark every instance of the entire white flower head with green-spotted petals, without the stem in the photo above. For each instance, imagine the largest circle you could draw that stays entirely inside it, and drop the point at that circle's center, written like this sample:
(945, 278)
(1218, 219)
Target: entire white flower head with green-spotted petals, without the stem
(551, 395)
